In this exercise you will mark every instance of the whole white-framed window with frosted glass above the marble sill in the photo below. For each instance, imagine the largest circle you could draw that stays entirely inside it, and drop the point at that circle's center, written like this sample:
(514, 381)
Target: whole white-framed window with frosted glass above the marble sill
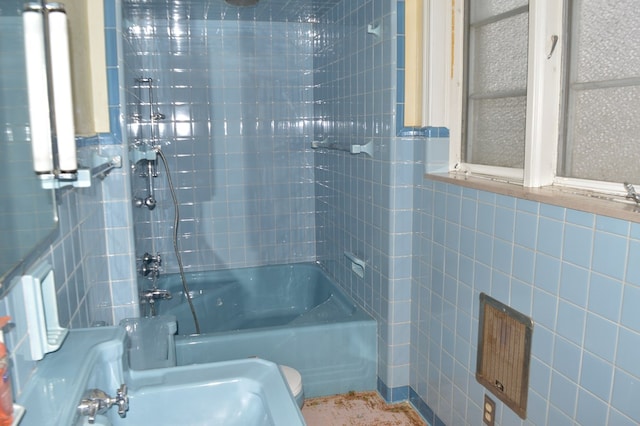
(551, 94)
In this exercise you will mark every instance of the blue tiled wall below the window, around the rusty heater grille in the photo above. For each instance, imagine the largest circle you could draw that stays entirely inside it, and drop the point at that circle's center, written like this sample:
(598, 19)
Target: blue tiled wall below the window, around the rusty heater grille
(568, 270)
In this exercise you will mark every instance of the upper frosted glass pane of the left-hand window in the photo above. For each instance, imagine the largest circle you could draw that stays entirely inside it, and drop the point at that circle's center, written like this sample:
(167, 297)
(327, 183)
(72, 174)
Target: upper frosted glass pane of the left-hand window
(499, 55)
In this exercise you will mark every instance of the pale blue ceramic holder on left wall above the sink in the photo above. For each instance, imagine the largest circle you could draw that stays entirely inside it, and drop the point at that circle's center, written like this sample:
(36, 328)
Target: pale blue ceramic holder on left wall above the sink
(41, 311)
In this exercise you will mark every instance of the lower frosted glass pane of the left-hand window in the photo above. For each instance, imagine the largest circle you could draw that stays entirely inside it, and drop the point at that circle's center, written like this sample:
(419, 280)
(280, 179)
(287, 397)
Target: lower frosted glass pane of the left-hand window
(496, 132)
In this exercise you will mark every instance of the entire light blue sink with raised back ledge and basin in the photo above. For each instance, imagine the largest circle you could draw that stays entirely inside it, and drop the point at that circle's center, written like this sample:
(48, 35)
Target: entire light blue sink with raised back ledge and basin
(243, 392)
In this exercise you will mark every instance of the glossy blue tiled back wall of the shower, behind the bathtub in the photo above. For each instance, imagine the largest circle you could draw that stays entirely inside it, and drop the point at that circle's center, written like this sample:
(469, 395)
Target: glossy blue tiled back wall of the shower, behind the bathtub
(238, 101)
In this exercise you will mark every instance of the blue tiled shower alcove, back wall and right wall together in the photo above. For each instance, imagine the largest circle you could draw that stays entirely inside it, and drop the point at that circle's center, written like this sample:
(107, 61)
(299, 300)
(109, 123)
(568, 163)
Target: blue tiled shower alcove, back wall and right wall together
(241, 111)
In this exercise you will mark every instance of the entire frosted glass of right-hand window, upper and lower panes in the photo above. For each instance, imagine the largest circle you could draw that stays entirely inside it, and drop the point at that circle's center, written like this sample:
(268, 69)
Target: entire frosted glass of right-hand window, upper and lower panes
(603, 131)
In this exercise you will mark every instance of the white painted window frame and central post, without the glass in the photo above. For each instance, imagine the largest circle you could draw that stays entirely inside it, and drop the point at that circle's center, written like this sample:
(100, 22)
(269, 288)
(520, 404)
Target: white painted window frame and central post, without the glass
(544, 91)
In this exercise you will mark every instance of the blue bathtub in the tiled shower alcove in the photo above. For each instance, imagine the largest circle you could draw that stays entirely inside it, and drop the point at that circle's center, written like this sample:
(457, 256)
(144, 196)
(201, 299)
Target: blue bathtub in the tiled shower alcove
(289, 314)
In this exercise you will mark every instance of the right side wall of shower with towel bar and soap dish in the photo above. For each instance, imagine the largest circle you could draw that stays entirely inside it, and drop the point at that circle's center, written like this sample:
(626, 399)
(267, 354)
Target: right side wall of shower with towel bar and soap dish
(364, 204)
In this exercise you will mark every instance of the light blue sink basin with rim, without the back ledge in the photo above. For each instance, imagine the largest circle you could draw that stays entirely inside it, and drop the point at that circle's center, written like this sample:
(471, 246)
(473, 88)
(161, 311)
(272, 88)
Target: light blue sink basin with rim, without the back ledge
(234, 393)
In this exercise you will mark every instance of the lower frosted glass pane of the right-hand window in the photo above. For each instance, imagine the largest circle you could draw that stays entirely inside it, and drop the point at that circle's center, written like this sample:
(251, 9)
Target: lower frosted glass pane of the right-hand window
(605, 135)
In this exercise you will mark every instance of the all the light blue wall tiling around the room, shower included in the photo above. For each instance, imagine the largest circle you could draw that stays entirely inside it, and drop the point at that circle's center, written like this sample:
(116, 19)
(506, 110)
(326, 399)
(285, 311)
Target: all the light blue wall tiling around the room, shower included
(430, 247)
